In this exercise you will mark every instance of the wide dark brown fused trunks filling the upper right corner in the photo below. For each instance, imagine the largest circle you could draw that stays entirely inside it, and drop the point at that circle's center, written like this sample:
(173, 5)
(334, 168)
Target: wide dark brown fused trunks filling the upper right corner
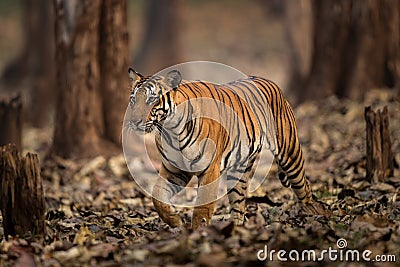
(356, 47)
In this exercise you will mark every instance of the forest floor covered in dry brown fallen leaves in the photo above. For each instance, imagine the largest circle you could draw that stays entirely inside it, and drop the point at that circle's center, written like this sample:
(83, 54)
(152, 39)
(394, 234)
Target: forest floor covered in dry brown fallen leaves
(97, 216)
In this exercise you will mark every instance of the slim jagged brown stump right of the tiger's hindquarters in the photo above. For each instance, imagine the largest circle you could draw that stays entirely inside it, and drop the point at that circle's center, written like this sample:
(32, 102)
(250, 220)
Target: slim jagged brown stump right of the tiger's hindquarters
(379, 148)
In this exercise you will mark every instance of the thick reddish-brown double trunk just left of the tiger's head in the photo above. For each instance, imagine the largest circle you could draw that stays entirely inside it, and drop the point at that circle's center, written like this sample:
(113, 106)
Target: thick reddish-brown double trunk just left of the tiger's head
(92, 59)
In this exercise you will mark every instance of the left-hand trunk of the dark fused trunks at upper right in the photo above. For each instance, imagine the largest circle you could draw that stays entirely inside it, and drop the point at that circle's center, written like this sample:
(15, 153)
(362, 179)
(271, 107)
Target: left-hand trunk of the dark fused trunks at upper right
(331, 23)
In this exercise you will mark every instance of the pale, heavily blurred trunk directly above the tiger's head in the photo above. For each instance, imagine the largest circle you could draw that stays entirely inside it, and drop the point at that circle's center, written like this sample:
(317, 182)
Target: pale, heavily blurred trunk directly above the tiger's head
(163, 44)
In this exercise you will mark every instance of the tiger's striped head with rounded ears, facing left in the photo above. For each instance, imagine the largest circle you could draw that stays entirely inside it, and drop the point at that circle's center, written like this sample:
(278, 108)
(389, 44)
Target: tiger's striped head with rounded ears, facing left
(148, 102)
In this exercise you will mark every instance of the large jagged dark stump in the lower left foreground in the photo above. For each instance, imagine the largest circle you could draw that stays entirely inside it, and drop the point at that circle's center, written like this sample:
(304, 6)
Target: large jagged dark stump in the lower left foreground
(21, 193)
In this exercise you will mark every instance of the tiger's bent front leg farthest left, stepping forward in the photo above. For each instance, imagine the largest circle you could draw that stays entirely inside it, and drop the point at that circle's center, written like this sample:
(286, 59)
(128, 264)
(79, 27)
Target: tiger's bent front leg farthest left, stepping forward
(167, 186)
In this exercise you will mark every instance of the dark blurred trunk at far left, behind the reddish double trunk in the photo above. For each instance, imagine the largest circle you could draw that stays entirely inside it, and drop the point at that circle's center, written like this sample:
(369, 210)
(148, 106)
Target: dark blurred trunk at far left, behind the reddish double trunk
(36, 63)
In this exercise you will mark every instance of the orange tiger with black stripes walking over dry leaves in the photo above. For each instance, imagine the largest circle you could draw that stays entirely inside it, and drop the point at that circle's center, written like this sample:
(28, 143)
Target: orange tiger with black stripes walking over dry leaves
(156, 99)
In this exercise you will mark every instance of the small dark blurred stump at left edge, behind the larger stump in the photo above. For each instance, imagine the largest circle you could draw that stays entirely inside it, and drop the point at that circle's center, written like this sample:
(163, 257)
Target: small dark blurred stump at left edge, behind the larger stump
(10, 121)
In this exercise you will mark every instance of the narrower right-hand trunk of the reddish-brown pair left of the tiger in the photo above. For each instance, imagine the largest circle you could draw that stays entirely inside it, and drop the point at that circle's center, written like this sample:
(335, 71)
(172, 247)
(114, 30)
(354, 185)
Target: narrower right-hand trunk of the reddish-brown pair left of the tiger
(114, 57)
